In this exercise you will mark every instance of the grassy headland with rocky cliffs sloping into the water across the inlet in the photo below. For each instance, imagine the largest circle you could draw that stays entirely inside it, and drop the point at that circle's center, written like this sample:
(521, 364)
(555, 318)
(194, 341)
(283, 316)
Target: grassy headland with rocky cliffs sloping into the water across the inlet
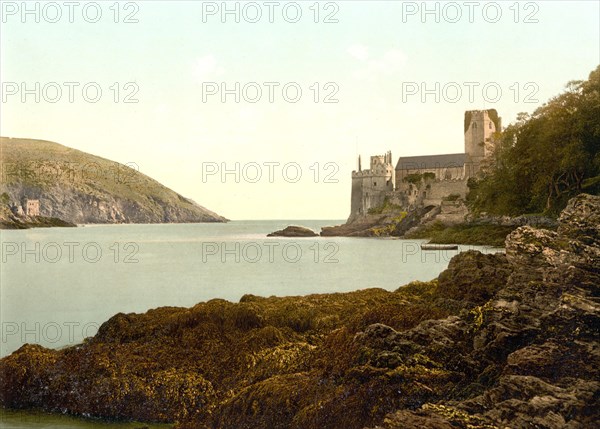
(81, 188)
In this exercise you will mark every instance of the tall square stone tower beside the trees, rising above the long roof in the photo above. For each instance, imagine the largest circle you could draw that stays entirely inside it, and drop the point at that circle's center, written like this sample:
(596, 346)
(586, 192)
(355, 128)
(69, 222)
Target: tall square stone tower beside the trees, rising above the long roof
(480, 126)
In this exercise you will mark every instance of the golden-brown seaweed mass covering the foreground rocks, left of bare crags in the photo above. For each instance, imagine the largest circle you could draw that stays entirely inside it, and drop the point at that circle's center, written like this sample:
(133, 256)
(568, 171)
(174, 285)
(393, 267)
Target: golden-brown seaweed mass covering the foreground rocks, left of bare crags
(219, 363)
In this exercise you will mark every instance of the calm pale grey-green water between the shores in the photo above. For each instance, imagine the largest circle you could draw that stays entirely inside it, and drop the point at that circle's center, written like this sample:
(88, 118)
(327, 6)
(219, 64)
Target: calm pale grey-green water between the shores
(58, 285)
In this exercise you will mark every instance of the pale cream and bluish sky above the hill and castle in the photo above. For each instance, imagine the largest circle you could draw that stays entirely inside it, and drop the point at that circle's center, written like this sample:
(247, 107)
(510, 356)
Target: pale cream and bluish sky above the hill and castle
(259, 110)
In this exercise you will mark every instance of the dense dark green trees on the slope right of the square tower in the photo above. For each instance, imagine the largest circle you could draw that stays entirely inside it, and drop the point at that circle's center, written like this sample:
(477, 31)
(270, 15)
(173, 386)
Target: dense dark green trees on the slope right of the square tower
(545, 158)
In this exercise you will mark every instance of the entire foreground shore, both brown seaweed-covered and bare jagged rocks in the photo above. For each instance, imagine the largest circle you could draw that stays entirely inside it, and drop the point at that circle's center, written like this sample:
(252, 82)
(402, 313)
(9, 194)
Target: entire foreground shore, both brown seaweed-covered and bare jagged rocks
(496, 341)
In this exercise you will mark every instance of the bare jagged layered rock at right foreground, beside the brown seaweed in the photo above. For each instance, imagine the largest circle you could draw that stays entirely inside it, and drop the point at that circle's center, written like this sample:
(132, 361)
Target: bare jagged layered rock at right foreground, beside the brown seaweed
(532, 356)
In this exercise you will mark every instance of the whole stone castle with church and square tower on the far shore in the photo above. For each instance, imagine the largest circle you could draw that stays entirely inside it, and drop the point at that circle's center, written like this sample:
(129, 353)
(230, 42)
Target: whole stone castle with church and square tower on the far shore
(420, 181)
